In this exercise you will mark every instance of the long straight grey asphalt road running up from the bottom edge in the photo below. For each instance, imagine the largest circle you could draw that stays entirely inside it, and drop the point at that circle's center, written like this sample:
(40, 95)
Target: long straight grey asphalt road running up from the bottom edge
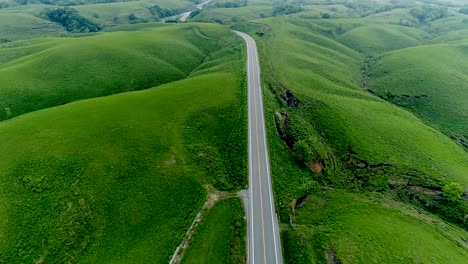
(263, 232)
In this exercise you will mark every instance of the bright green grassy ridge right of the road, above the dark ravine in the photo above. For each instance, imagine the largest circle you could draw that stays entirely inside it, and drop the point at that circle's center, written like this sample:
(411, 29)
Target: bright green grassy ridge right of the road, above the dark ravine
(351, 120)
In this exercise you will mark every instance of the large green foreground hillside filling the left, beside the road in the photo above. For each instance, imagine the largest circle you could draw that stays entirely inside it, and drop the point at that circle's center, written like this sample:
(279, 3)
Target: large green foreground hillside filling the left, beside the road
(113, 179)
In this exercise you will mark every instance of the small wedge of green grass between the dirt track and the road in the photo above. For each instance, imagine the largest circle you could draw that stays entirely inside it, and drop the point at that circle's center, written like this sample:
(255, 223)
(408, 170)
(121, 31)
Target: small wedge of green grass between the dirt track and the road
(221, 236)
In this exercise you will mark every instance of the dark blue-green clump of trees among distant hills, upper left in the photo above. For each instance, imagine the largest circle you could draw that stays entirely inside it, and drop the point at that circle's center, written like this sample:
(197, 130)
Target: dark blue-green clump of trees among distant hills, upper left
(71, 20)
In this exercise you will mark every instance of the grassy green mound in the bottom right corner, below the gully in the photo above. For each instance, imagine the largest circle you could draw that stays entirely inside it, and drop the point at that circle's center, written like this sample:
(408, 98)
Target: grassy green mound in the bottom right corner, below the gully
(350, 228)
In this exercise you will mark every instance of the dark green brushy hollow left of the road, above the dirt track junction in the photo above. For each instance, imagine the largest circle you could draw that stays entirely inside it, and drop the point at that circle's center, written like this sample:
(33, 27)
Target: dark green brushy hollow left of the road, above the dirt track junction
(209, 142)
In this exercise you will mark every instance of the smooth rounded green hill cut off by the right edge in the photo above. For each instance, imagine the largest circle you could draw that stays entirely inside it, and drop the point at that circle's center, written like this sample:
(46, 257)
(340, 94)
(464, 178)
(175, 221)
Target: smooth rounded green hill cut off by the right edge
(430, 81)
